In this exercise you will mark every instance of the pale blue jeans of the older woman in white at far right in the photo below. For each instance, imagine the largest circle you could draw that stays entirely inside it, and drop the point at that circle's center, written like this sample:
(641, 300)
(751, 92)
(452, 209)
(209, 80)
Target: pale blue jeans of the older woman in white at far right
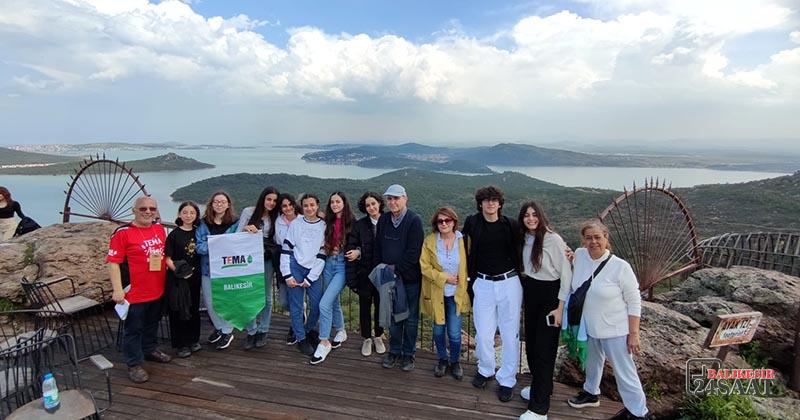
(628, 384)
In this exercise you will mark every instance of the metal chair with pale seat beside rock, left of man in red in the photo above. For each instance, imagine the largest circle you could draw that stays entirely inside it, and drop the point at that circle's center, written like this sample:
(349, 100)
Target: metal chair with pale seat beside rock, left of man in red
(89, 325)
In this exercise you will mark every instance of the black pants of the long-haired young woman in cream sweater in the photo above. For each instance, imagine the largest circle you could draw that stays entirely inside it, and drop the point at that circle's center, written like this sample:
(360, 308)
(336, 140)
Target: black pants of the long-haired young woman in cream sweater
(541, 341)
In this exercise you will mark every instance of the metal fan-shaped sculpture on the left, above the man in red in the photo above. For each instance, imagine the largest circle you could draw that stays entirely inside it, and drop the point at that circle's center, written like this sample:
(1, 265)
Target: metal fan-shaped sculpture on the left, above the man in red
(102, 189)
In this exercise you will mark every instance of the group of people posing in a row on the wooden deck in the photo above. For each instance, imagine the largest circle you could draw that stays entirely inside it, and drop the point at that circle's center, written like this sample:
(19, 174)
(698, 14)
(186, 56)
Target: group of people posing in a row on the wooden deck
(494, 266)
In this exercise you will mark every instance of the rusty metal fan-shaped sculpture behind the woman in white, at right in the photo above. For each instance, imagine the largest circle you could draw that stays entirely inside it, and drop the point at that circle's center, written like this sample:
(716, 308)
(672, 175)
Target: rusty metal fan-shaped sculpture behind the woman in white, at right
(653, 230)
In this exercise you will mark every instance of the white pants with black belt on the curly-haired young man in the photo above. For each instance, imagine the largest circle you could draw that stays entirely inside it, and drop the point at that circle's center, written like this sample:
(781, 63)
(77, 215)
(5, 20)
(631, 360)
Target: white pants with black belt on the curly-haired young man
(498, 304)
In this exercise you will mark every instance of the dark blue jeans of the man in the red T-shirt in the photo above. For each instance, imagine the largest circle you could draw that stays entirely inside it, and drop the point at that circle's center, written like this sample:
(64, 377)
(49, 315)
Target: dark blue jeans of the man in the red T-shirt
(139, 333)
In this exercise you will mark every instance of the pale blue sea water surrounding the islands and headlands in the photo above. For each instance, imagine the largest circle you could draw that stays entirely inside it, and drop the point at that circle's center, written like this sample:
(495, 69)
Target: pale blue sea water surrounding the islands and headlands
(42, 196)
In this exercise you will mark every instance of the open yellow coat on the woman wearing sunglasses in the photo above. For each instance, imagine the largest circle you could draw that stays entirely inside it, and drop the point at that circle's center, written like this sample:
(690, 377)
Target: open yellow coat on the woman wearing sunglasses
(431, 300)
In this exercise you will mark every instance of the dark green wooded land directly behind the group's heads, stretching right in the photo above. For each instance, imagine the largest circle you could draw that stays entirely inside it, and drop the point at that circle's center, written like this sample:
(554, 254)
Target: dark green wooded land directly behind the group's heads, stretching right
(769, 204)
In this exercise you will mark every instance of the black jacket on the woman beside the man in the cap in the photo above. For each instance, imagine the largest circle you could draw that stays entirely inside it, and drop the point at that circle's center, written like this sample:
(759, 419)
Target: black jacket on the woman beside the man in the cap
(357, 272)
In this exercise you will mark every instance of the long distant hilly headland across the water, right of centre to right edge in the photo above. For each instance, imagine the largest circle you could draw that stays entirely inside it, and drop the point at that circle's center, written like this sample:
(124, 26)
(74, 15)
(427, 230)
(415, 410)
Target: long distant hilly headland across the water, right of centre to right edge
(477, 159)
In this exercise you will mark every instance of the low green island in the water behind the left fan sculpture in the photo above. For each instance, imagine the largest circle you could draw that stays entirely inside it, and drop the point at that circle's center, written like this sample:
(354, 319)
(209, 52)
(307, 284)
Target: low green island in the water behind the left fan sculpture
(162, 163)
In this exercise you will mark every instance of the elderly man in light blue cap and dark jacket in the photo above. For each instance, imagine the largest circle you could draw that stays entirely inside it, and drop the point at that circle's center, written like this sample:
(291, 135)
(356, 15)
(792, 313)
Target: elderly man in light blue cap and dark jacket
(398, 242)
